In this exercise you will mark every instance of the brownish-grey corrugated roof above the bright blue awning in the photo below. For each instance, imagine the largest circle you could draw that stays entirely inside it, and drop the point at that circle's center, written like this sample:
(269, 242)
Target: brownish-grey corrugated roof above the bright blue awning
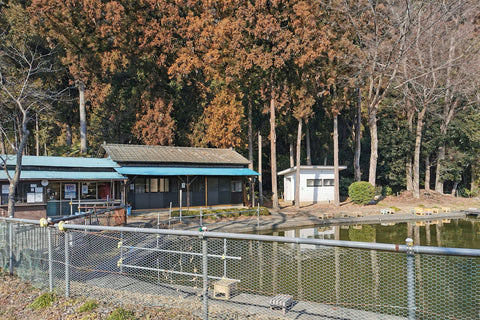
(123, 153)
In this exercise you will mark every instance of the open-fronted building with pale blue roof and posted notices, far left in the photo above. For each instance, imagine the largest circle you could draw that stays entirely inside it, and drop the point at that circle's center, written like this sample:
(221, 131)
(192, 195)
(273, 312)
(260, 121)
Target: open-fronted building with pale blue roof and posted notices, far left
(52, 186)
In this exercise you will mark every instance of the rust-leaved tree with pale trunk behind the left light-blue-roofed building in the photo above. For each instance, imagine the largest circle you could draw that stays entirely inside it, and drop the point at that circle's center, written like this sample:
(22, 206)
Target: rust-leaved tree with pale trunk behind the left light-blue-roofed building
(89, 32)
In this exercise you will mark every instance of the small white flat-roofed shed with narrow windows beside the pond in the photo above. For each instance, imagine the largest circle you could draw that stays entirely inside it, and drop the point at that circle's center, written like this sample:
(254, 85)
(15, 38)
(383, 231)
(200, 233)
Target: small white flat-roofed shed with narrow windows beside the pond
(316, 183)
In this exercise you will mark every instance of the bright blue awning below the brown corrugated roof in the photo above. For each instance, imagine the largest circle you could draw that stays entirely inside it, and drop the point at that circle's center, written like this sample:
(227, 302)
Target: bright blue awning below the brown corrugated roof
(182, 171)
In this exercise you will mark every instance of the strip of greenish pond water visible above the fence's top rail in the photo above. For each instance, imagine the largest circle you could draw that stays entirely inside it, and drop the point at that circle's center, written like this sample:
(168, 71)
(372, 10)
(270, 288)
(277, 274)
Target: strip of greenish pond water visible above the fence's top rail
(454, 233)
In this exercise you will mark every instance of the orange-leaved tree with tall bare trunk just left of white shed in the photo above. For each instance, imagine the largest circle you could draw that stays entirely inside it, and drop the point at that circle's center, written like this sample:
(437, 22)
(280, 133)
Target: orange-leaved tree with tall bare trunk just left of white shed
(270, 37)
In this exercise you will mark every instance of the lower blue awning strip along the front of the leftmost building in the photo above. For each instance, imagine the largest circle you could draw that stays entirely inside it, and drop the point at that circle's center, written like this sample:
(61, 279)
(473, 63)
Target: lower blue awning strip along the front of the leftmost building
(64, 175)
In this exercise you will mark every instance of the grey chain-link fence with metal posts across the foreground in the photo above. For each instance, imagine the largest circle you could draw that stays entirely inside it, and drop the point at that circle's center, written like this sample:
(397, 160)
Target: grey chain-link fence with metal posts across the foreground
(246, 275)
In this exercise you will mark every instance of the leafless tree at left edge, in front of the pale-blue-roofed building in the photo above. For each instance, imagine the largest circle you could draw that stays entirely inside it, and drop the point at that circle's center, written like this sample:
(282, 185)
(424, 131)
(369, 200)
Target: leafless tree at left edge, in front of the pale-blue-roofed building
(23, 95)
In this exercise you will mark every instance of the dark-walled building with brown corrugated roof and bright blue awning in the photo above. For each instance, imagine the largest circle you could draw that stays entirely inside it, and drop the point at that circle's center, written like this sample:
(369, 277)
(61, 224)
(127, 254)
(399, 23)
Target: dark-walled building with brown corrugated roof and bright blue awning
(160, 176)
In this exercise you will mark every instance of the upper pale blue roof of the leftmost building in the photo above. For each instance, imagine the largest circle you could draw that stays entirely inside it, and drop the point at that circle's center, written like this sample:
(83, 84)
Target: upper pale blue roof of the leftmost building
(61, 162)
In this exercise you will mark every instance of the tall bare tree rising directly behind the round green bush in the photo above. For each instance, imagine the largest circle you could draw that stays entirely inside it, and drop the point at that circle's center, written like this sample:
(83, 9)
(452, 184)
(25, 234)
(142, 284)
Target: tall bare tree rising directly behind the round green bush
(381, 29)
